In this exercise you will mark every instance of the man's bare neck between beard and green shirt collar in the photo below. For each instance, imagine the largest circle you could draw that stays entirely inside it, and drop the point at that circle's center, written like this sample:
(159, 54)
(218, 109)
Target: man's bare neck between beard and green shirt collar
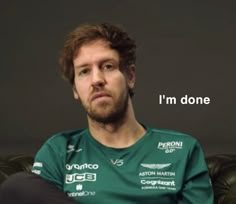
(120, 134)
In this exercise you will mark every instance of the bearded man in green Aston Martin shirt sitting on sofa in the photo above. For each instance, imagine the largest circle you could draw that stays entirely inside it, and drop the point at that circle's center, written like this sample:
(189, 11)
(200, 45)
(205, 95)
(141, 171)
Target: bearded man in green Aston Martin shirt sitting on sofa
(116, 159)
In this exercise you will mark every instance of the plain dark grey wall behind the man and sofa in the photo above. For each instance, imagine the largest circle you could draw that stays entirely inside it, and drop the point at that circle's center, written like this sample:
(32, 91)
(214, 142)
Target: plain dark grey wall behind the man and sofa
(184, 47)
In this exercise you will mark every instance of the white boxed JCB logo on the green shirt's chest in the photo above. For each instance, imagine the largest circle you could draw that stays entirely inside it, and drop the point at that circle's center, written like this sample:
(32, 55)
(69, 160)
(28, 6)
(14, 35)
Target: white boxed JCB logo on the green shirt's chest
(72, 178)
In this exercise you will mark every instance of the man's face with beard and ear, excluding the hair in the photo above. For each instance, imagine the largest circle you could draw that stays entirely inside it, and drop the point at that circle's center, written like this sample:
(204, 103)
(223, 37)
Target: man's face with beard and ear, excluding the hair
(99, 83)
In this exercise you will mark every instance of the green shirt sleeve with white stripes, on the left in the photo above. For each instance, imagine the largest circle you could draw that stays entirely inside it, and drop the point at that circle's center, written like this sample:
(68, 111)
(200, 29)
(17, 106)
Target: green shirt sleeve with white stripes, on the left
(48, 164)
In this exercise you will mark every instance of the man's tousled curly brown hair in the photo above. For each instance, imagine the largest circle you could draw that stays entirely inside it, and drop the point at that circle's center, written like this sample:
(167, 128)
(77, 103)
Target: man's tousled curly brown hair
(117, 38)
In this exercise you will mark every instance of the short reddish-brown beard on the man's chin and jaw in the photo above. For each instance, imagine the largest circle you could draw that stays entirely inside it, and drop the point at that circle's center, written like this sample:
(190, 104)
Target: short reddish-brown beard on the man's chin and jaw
(107, 112)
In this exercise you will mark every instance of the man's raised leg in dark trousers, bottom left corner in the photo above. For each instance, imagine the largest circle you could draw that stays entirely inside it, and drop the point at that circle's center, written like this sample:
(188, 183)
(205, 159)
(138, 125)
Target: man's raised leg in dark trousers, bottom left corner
(27, 188)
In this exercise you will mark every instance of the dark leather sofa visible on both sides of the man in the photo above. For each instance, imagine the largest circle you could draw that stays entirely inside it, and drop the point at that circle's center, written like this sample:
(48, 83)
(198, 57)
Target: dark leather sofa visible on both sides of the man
(222, 169)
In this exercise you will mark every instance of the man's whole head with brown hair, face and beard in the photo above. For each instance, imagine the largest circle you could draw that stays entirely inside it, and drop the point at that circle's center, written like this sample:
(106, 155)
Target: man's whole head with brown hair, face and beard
(99, 61)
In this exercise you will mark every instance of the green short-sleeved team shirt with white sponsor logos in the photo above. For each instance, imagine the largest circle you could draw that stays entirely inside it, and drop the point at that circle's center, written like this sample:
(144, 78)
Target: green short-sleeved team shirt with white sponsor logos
(162, 167)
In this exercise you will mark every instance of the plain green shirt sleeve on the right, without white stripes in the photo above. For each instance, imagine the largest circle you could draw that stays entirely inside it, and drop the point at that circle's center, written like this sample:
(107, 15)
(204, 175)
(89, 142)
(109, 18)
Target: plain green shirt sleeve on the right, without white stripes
(197, 185)
